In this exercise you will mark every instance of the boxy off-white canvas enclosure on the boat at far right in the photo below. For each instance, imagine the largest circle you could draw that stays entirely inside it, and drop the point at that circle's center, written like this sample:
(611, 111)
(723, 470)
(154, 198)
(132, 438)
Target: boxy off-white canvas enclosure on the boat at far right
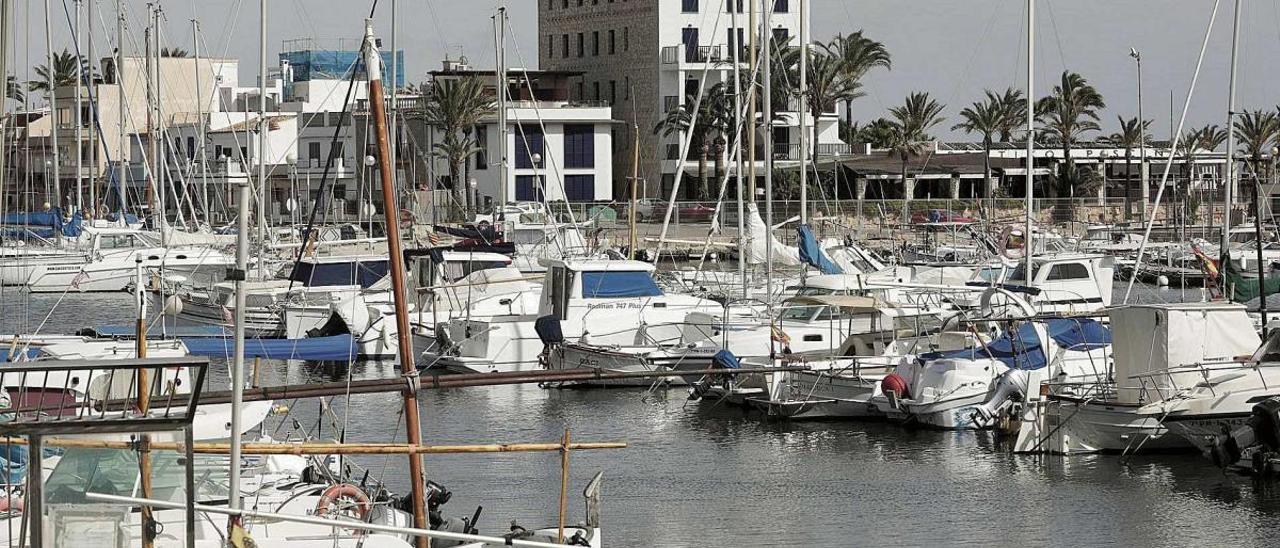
(1159, 337)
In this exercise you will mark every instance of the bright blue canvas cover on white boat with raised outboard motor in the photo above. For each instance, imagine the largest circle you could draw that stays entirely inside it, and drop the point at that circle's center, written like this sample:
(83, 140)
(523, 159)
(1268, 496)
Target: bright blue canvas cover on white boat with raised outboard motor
(1023, 350)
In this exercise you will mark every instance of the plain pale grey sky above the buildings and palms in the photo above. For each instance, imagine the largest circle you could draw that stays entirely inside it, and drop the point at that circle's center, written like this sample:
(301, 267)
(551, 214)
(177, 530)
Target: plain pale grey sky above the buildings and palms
(953, 49)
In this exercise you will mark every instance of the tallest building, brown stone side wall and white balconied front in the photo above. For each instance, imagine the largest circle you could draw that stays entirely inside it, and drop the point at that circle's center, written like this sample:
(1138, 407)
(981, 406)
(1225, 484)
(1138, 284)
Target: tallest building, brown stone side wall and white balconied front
(647, 57)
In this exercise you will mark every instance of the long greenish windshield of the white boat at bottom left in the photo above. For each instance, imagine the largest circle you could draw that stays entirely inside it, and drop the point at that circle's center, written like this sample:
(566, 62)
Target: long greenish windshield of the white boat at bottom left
(116, 472)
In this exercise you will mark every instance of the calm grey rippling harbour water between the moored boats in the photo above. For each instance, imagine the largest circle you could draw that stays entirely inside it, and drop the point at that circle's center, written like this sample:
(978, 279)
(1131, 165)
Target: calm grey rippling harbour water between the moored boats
(717, 477)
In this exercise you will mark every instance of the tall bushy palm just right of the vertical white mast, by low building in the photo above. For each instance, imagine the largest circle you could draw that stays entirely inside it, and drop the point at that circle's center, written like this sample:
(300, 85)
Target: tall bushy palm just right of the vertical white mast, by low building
(1067, 115)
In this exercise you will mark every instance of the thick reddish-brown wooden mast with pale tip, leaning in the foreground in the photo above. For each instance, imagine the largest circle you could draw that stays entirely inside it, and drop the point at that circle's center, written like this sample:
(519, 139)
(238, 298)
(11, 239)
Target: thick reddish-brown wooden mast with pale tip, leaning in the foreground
(373, 63)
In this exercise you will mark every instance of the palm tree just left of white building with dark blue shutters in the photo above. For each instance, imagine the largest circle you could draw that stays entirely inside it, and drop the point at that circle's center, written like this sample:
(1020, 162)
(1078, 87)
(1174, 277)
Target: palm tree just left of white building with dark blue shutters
(455, 107)
